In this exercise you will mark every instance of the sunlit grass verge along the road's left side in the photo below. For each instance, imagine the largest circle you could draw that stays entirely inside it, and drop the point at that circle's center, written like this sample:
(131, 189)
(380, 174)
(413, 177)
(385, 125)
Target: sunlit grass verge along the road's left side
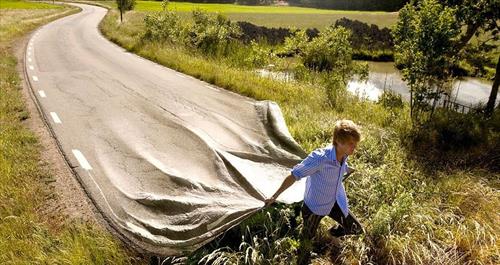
(26, 235)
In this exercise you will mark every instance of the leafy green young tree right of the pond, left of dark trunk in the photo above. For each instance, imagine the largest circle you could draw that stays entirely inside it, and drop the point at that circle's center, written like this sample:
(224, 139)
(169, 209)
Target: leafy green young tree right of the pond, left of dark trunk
(425, 49)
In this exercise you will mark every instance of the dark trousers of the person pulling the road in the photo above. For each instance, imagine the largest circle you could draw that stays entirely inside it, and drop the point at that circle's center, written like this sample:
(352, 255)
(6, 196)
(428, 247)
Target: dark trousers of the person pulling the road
(347, 226)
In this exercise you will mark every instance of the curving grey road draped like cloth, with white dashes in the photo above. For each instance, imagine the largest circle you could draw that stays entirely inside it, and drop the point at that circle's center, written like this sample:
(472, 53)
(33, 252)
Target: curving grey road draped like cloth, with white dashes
(170, 161)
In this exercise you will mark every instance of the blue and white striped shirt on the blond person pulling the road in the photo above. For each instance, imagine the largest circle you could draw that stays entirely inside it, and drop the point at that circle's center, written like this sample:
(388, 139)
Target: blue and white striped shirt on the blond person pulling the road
(324, 183)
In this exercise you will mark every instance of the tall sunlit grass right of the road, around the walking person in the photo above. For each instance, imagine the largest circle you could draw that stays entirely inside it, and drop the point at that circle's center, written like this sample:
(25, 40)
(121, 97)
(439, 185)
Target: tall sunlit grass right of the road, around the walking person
(412, 213)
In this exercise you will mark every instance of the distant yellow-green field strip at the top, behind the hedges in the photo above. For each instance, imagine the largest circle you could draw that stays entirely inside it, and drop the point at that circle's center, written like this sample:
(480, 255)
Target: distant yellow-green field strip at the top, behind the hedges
(276, 16)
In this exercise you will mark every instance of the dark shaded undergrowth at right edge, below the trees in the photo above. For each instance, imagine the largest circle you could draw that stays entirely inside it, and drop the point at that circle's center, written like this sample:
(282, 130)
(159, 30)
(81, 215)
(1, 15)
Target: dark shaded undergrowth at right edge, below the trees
(455, 141)
